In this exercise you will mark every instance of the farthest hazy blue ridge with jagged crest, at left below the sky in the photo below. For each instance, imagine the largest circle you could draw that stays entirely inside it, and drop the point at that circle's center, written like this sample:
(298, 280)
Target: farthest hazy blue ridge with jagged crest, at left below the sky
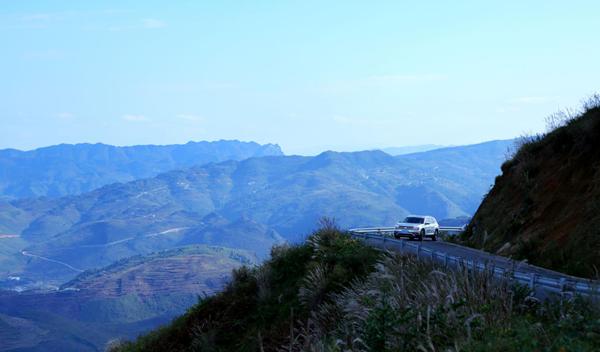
(73, 169)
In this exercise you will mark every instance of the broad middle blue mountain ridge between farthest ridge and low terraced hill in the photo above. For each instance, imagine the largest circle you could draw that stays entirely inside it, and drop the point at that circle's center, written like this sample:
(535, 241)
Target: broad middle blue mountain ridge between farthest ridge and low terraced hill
(250, 204)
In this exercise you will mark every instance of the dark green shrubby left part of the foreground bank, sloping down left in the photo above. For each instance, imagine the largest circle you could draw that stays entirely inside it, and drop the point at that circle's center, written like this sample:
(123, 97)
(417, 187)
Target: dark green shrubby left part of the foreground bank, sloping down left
(258, 309)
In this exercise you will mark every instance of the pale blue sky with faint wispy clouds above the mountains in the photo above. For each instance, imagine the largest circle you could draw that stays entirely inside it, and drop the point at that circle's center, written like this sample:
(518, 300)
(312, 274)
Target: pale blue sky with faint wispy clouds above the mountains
(308, 75)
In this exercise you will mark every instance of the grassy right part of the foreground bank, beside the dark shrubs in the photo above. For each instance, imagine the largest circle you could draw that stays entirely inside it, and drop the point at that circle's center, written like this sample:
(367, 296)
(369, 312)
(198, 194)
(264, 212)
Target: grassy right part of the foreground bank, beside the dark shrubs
(410, 305)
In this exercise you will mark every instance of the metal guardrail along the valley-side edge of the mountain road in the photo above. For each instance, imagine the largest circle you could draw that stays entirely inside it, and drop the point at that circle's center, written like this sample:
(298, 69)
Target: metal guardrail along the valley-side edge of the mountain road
(566, 285)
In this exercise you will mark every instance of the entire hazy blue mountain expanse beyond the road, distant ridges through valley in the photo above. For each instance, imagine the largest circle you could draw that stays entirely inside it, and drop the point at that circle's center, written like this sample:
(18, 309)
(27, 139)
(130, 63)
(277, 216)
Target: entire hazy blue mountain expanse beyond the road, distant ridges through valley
(80, 269)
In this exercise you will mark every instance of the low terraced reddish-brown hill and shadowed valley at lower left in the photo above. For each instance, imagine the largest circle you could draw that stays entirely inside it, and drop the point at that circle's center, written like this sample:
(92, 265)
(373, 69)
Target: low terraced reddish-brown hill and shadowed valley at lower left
(119, 301)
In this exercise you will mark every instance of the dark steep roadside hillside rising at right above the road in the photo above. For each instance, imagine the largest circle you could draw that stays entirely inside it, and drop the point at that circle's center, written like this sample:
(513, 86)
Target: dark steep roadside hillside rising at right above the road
(545, 207)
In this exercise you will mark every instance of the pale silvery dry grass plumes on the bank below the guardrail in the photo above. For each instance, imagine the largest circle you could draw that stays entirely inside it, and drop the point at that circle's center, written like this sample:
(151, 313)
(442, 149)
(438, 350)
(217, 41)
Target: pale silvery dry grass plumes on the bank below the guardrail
(410, 305)
